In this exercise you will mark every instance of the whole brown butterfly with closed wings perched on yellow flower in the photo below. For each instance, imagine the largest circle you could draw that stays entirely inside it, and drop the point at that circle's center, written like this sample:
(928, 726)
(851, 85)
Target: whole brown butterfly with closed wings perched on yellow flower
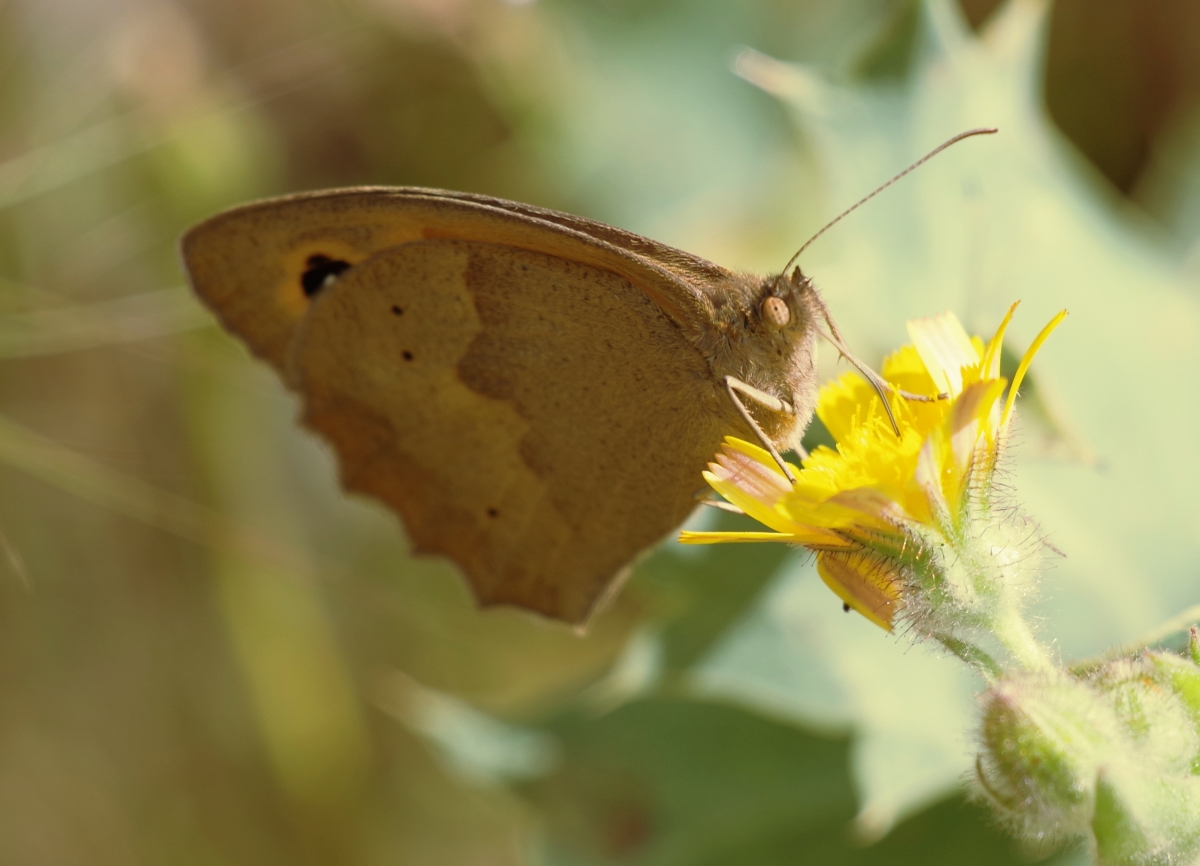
(533, 393)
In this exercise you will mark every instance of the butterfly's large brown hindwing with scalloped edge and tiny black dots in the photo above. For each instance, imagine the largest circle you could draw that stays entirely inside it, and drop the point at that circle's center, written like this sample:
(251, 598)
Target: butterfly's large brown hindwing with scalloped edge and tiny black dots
(533, 419)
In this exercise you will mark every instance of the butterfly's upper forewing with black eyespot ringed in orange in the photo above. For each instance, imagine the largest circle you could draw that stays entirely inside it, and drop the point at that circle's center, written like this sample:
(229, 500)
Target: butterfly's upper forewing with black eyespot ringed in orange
(259, 267)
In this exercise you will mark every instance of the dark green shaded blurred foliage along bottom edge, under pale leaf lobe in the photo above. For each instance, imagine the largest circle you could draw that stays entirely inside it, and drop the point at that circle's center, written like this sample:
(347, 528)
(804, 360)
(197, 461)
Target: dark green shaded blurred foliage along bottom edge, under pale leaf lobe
(681, 784)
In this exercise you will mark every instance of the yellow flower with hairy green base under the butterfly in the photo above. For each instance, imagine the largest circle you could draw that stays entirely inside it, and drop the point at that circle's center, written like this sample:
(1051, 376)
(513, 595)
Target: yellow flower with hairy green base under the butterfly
(883, 509)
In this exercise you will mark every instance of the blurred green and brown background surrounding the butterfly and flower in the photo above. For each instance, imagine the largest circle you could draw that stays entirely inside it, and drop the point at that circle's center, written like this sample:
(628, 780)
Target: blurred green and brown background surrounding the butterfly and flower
(208, 655)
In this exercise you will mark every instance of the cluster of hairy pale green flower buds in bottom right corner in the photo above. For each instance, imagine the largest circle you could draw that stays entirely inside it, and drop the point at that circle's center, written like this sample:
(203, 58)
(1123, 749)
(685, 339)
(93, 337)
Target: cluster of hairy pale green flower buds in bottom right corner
(1113, 755)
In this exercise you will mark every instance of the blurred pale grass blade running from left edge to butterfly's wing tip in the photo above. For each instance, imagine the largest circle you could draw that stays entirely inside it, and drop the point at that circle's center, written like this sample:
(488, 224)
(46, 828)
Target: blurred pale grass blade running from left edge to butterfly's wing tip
(91, 326)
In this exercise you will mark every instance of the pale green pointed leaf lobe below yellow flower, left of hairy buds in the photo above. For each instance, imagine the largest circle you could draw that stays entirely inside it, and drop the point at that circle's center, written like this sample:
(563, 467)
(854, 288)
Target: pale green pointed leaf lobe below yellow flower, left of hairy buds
(799, 657)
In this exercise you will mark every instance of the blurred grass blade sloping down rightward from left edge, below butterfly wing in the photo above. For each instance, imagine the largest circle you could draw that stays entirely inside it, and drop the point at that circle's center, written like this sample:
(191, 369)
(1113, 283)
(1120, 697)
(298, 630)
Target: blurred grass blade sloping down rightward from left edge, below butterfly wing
(97, 484)
